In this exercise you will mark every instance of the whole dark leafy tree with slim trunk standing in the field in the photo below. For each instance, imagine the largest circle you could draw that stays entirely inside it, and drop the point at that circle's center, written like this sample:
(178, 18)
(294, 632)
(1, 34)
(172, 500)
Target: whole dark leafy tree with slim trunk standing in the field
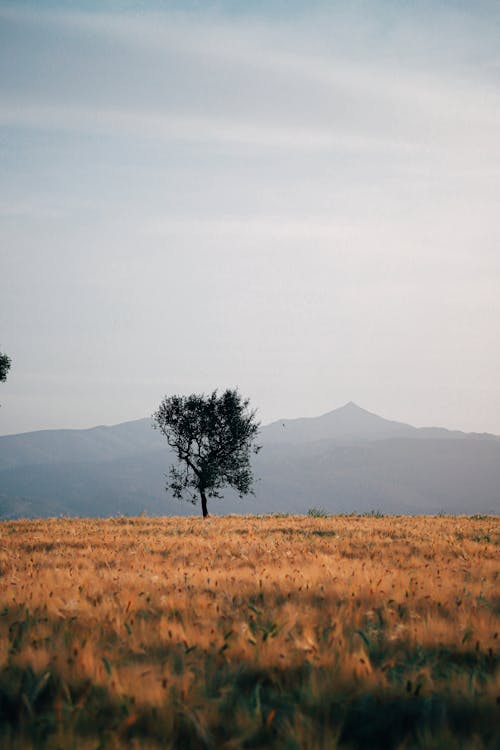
(213, 438)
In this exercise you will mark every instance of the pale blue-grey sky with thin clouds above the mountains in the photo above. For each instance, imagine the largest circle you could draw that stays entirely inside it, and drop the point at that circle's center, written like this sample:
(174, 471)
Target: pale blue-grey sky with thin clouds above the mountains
(299, 199)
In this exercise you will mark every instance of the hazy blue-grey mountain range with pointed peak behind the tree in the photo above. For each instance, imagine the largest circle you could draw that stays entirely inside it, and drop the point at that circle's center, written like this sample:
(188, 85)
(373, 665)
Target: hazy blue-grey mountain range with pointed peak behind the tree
(346, 460)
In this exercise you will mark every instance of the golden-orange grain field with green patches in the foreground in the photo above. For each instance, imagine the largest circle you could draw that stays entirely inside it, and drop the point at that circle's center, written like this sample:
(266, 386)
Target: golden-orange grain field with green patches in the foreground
(250, 632)
